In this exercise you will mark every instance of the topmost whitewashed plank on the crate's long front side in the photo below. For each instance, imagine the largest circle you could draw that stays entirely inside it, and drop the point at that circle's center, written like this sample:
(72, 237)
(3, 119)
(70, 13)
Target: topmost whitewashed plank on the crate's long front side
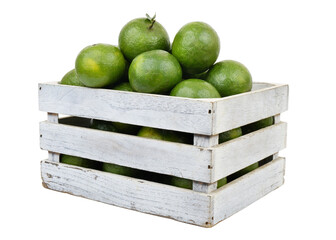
(166, 112)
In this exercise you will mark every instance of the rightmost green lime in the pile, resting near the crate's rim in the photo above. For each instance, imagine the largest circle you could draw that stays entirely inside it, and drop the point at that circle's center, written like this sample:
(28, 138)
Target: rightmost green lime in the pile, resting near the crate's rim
(229, 78)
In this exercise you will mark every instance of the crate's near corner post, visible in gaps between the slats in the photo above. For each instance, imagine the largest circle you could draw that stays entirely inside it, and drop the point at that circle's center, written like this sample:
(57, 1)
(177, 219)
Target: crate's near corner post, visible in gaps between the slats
(205, 141)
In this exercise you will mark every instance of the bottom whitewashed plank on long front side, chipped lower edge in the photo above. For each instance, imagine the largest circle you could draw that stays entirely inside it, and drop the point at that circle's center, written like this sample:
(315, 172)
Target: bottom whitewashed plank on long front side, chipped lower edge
(140, 195)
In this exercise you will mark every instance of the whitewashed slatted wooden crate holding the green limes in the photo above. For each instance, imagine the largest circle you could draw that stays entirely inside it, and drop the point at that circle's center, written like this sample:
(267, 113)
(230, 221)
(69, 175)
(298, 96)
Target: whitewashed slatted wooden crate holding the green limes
(204, 163)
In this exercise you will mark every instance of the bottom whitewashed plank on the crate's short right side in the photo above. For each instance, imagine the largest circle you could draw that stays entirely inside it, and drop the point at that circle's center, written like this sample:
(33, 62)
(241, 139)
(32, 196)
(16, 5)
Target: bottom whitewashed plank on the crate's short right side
(243, 191)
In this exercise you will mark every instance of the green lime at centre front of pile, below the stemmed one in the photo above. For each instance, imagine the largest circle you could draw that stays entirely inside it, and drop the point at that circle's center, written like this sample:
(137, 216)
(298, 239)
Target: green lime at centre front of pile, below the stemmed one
(156, 71)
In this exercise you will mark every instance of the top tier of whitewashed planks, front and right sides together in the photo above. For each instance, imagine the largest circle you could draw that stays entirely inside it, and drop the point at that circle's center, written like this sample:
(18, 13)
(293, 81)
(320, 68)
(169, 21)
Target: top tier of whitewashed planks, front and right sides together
(198, 116)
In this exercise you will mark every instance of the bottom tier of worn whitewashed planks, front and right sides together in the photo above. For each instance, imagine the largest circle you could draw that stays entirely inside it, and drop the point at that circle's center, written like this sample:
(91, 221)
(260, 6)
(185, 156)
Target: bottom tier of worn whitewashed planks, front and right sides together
(177, 203)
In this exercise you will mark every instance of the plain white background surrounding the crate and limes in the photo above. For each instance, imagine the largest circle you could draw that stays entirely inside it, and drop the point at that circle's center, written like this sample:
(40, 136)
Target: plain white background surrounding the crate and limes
(290, 42)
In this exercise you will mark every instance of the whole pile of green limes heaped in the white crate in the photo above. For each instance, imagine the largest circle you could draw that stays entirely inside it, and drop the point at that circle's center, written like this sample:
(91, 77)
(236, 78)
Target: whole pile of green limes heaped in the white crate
(146, 61)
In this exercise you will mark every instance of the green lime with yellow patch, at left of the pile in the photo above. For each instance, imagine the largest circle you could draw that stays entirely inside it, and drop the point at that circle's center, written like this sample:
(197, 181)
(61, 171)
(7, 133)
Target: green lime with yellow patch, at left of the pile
(100, 65)
